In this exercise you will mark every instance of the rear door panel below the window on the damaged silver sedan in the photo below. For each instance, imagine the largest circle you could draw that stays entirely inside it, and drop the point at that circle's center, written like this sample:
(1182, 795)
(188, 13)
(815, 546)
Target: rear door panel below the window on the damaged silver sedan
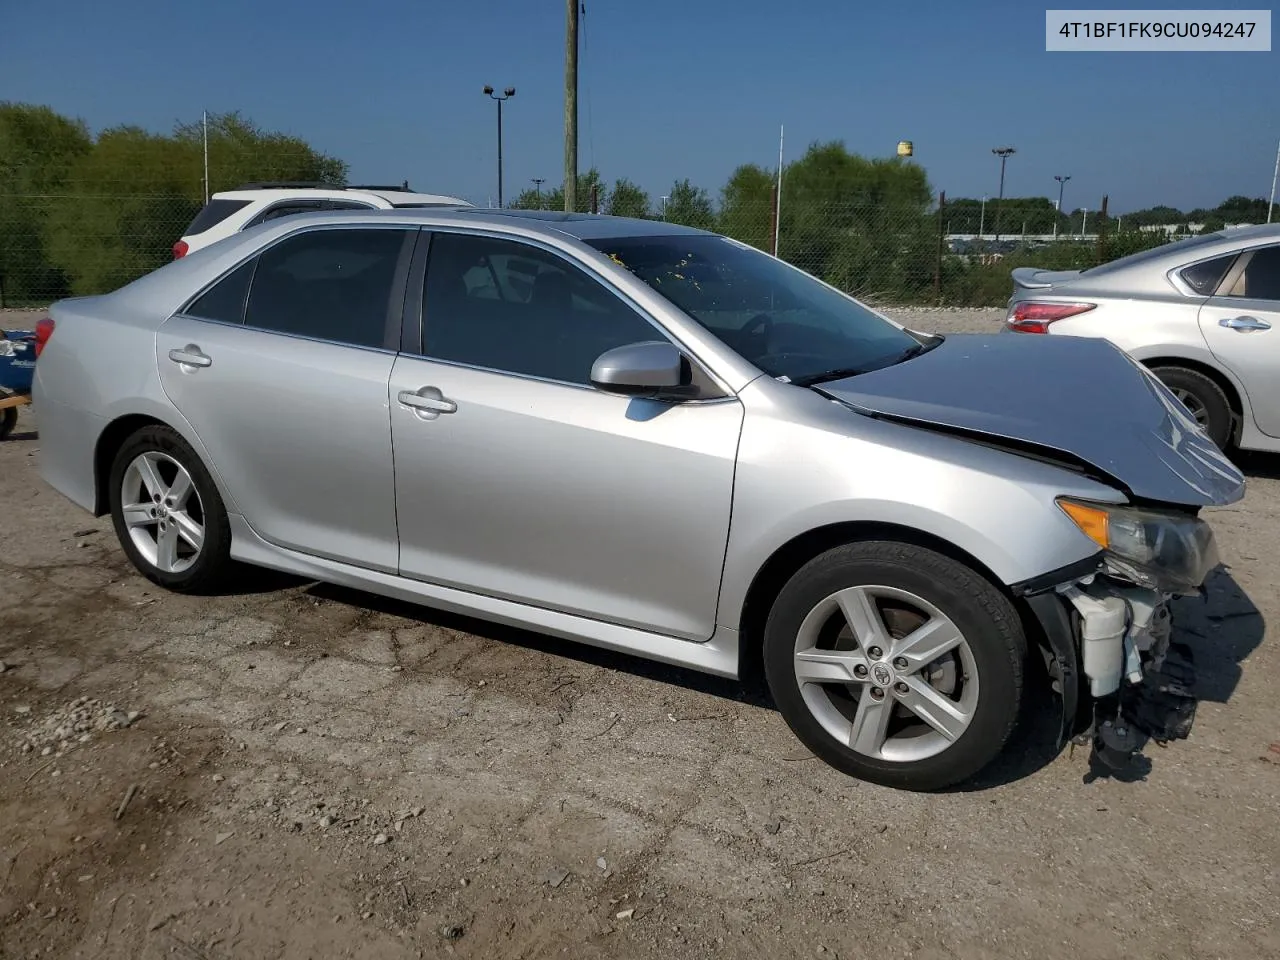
(299, 431)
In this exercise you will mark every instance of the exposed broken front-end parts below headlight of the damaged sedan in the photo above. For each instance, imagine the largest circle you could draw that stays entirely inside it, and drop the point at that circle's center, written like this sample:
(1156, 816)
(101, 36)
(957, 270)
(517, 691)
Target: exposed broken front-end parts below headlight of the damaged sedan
(1122, 678)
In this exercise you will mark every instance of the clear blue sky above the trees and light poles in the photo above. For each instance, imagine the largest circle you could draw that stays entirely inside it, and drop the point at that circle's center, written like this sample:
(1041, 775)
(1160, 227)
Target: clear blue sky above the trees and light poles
(670, 89)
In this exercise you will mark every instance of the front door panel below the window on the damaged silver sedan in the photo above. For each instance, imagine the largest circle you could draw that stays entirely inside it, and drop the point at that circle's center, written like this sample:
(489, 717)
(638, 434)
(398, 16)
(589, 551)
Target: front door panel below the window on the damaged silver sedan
(564, 497)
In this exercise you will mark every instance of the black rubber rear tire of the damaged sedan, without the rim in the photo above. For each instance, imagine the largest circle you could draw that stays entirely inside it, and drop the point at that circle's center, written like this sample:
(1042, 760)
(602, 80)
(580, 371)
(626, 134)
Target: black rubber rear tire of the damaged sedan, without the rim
(214, 560)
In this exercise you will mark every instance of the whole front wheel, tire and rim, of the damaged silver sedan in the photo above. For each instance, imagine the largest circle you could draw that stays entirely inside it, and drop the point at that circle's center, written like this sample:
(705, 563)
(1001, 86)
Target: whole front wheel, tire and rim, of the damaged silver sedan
(897, 588)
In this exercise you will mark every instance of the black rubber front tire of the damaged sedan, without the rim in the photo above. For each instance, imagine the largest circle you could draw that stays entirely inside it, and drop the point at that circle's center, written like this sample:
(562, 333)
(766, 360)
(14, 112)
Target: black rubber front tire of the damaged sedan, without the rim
(984, 615)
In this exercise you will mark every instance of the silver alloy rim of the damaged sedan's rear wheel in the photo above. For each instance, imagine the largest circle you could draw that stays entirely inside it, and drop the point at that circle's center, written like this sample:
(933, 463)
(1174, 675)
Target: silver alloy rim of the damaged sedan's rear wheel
(163, 513)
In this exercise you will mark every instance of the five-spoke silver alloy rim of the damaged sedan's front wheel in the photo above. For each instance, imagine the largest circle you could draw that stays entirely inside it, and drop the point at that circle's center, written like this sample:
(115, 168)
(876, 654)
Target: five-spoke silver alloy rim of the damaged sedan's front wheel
(886, 674)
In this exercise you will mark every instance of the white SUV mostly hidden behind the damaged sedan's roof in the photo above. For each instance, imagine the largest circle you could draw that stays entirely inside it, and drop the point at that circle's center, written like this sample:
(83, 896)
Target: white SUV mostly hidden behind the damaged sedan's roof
(235, 211)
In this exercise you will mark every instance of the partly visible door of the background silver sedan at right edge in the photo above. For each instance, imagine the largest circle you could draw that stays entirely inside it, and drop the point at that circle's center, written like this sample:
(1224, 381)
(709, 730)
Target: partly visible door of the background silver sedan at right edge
(1242, 328)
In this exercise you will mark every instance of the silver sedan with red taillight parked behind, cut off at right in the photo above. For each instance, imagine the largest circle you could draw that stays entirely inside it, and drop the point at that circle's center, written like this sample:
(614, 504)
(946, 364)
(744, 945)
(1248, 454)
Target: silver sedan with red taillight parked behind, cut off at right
(1203, 313)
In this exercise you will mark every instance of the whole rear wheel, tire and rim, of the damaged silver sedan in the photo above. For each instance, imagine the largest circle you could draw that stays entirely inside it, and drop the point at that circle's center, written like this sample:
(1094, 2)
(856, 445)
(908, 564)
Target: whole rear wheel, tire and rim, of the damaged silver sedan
(195, 564)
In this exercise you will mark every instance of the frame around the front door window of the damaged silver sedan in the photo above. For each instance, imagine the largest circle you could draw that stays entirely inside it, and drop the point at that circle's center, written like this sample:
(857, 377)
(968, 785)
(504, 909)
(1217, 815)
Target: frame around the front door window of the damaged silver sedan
(415, 313)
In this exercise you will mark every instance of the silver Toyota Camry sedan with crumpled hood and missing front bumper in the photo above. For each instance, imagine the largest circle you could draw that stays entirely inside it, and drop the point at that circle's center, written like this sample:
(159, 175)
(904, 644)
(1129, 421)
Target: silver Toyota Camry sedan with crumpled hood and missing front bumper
(664, 442)
